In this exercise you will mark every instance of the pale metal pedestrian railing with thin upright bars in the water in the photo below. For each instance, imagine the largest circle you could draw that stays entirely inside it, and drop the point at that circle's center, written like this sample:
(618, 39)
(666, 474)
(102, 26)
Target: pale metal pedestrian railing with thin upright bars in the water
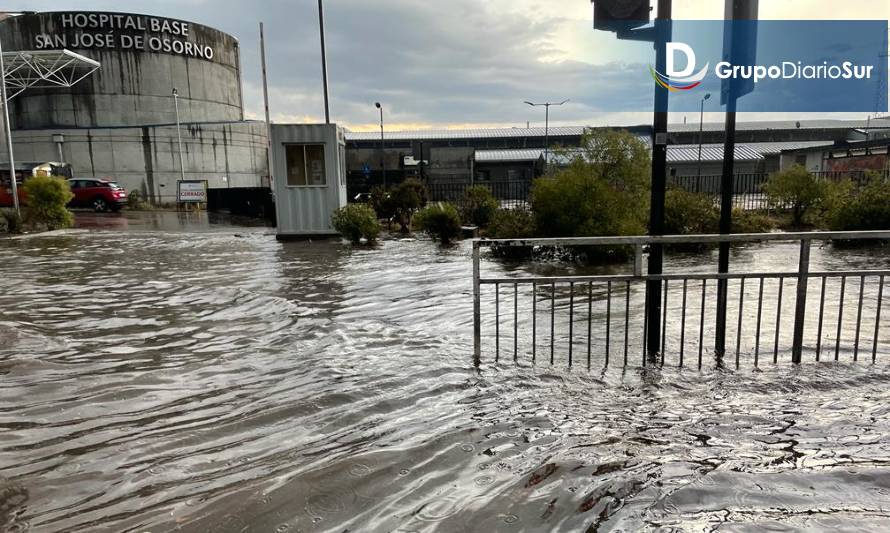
(608, 296)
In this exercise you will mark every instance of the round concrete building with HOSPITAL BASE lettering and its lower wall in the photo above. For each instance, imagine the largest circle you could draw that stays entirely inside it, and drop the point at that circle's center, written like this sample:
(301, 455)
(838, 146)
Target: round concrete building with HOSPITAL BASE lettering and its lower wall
(121, 121)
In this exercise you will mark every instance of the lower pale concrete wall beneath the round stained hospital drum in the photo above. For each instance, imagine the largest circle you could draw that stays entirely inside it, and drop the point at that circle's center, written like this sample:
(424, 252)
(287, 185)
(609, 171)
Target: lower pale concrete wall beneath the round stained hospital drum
(228, 155)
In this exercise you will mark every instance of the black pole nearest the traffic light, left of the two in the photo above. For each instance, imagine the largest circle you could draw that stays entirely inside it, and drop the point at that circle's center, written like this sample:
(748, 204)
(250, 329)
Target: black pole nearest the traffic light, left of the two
(659, 169)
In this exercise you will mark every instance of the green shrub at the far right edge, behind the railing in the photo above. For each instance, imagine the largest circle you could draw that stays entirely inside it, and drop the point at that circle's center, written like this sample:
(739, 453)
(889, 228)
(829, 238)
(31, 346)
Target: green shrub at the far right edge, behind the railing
(865, 209)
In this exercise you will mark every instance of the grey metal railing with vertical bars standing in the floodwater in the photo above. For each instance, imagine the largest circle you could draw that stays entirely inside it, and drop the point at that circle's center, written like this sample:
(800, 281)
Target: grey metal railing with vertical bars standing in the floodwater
(601, 320)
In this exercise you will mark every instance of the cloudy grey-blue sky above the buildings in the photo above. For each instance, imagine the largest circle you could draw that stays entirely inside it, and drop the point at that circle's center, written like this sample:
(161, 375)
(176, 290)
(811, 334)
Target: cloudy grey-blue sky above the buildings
(447, 64)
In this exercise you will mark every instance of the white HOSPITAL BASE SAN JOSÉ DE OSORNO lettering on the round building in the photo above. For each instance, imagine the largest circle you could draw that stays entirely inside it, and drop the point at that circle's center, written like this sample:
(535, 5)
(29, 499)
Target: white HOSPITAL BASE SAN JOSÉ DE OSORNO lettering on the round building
(112, 31)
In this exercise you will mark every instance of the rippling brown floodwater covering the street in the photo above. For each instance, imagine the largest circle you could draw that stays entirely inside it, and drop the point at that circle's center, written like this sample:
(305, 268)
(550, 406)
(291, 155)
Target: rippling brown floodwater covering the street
(161, 373)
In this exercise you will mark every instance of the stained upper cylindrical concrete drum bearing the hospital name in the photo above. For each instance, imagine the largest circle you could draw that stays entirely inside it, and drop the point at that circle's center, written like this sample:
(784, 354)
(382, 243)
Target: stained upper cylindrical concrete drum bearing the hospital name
(134, 85)
